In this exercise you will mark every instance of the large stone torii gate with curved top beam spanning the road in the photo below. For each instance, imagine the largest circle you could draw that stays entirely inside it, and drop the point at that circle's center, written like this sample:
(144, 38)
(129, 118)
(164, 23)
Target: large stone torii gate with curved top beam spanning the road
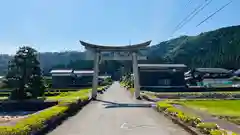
(96, 51)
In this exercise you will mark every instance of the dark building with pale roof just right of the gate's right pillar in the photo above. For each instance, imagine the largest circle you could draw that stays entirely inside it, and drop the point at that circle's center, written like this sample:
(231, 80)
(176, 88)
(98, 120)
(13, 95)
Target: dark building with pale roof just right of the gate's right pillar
(162, 75)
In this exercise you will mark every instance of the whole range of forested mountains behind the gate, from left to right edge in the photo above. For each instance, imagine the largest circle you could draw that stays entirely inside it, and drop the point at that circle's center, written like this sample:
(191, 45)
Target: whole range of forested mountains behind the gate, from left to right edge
(218, 48)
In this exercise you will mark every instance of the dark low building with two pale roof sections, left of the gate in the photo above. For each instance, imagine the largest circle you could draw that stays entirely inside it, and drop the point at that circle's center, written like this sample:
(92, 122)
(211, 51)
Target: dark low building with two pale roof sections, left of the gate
(68, 78)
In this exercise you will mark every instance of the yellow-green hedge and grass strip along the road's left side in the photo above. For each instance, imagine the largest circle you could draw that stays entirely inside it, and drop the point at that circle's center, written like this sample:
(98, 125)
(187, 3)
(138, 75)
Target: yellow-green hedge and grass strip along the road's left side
(68, 102)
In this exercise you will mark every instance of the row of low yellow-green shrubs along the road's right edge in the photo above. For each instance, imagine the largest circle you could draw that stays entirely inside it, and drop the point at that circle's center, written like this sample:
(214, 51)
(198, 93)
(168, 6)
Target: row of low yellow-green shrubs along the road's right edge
(191, 120)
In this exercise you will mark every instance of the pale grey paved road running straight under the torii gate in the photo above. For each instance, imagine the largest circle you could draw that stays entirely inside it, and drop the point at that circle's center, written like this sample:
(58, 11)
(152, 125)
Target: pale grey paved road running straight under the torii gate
(97, 118)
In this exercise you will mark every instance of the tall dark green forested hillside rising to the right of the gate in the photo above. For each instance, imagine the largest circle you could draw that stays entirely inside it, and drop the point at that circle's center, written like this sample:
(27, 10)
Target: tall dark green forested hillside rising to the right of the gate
(219, 48)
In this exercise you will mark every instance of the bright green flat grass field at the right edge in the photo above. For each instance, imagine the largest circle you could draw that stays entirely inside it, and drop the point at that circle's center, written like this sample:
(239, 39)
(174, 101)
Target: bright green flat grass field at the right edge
(216, 107)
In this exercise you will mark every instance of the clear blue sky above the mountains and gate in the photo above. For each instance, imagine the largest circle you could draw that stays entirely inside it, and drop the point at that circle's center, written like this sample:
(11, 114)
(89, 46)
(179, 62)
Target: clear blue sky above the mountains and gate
(58, 25)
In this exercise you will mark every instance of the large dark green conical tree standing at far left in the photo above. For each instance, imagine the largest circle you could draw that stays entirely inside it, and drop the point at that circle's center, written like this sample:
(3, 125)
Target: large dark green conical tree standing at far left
(24, 74)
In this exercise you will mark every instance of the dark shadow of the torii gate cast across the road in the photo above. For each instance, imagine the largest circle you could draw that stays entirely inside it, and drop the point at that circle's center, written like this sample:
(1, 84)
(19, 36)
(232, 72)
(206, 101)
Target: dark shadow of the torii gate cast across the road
(109, 104)
